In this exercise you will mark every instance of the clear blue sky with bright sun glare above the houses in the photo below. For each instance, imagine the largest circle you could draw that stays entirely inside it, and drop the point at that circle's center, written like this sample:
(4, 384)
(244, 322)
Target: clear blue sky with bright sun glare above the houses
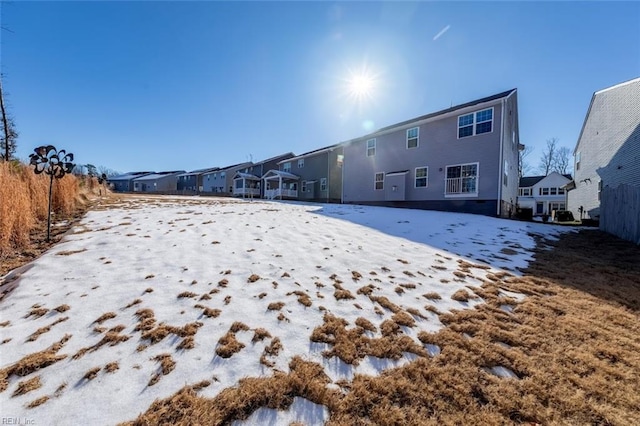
(186, 85)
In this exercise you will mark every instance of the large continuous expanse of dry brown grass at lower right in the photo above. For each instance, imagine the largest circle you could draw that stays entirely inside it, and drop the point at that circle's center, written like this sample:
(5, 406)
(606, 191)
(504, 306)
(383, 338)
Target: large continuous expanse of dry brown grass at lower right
(572, 342)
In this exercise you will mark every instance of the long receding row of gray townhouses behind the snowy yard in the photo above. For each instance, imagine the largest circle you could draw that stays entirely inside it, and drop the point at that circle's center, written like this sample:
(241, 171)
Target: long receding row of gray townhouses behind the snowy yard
(463, 159)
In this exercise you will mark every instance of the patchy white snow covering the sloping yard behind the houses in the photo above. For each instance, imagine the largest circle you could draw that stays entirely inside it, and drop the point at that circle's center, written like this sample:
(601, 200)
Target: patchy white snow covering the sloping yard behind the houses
(151, 292)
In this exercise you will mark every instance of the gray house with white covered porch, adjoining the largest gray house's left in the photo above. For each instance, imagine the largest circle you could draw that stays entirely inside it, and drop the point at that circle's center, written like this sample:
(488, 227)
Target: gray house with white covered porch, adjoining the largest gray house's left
(313, 176)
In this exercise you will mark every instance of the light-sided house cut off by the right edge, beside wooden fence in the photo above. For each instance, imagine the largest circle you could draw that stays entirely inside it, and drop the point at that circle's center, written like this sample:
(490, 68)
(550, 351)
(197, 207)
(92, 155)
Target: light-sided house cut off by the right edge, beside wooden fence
(607, 153)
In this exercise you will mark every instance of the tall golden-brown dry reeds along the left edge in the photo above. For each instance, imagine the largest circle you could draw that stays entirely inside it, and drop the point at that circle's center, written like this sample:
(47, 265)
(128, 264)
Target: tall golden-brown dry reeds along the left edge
(24, 202)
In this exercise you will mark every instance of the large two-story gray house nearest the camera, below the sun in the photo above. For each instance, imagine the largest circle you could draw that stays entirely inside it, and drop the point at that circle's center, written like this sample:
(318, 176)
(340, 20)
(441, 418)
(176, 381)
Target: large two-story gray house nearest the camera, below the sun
(462, 159)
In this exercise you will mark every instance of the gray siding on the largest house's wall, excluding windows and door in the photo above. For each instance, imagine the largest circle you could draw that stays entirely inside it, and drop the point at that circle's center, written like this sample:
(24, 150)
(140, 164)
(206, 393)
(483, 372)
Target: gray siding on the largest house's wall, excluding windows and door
(438, 148)
